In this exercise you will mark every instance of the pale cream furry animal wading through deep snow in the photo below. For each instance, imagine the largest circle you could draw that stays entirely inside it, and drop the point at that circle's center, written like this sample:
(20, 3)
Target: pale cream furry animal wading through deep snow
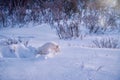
(49, 49)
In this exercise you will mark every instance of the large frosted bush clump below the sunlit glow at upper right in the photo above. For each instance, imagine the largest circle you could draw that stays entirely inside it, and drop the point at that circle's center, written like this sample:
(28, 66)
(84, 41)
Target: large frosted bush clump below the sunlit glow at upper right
(98, 21)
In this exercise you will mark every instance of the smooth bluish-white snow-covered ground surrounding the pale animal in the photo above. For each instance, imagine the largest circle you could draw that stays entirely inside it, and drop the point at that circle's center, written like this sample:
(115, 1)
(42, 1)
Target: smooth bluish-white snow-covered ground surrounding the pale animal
(76, 61)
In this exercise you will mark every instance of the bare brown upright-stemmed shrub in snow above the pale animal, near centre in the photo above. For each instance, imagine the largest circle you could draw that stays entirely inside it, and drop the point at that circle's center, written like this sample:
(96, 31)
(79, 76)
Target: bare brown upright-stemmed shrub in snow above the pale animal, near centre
(67, 29)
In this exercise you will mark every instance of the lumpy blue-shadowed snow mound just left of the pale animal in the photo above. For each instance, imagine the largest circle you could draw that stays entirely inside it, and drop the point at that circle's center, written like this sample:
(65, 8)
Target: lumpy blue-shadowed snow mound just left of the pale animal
(17, 51)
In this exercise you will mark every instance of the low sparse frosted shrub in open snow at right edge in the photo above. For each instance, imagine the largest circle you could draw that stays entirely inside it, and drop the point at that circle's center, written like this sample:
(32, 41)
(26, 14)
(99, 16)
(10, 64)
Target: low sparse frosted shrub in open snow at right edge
(108, 42)
